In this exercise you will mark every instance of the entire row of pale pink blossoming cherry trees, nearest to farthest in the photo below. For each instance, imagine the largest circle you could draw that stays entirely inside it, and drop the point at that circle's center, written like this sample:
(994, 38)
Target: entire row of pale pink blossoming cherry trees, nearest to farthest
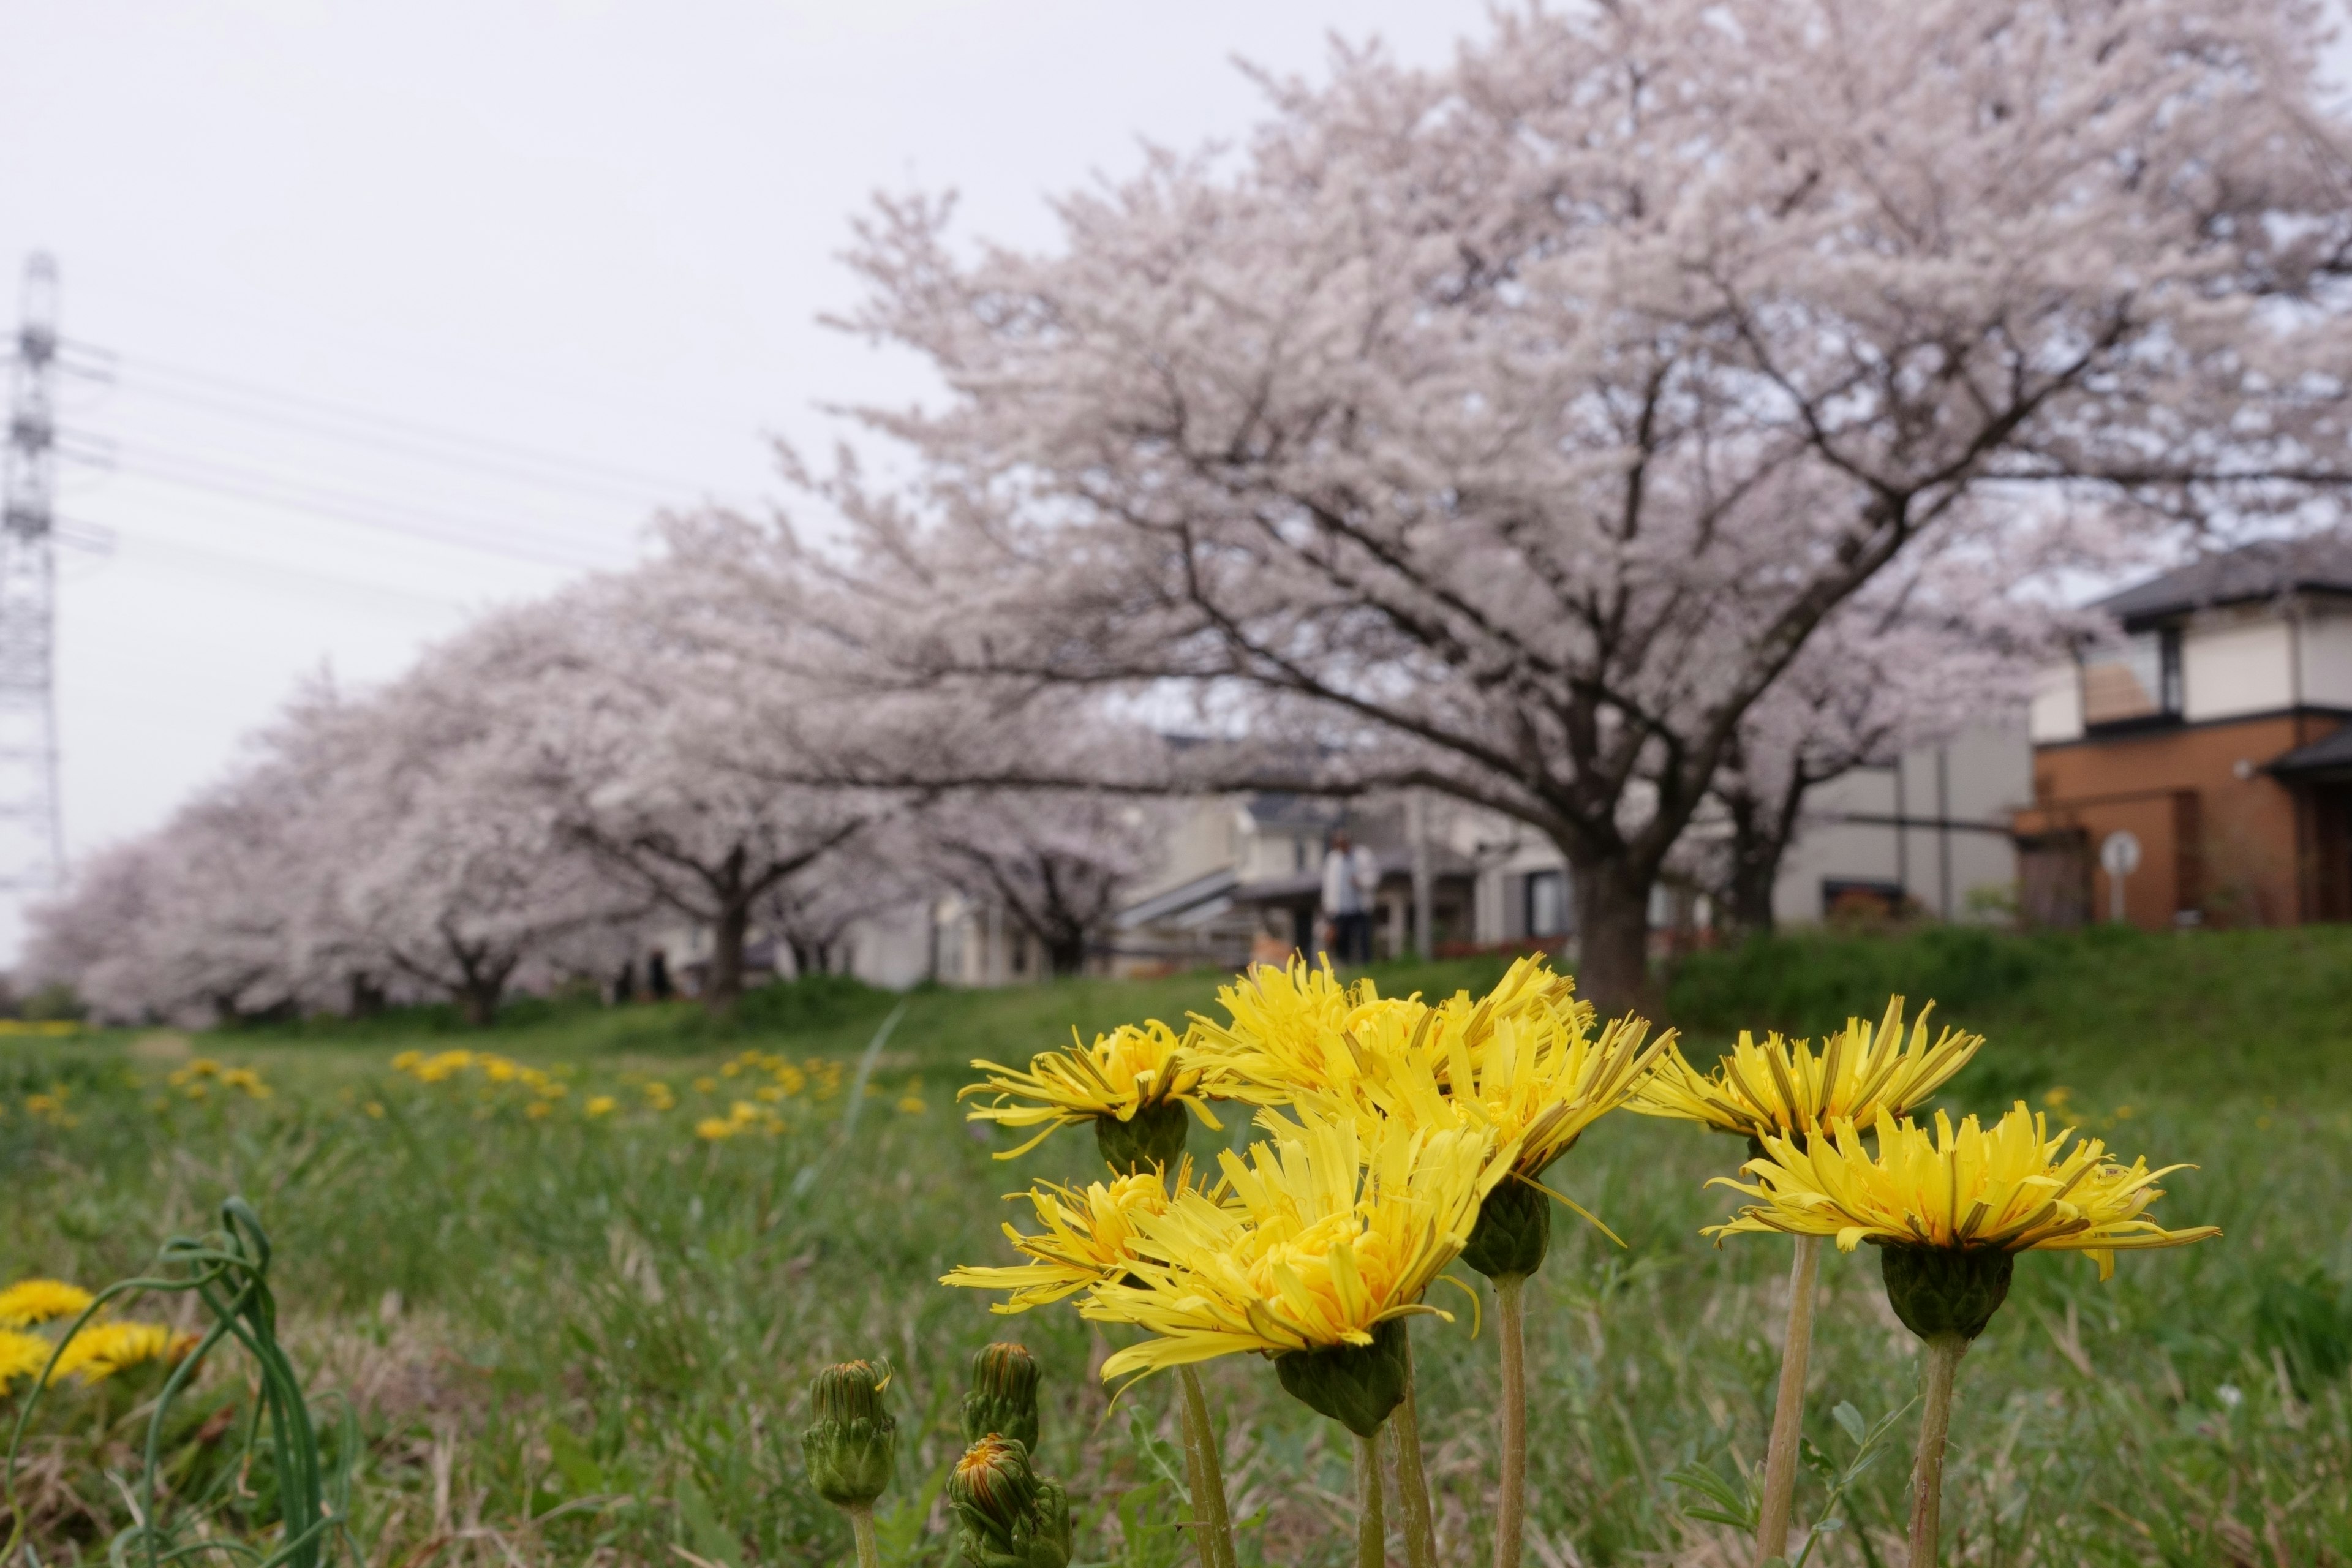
(1622, 429)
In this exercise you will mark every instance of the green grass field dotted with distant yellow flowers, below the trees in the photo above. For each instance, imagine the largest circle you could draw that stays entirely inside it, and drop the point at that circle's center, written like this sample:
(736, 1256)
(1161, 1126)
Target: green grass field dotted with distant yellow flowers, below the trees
(584, 1334)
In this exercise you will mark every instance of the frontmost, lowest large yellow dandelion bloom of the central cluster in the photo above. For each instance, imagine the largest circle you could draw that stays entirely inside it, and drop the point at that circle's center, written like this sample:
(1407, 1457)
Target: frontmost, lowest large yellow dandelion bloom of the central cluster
(1330, 1233)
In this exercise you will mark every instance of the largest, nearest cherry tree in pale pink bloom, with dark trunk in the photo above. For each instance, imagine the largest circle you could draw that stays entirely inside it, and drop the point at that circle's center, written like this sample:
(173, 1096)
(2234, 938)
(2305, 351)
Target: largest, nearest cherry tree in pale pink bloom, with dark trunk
(1511, 429)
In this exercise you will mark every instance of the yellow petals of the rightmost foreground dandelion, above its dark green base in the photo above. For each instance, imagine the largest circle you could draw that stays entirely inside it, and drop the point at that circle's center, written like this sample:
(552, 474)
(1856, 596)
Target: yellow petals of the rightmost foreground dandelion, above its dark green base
(1963, 1188)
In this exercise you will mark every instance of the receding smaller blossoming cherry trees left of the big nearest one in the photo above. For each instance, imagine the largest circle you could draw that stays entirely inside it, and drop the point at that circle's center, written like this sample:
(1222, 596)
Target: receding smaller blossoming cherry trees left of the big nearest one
(547, 789)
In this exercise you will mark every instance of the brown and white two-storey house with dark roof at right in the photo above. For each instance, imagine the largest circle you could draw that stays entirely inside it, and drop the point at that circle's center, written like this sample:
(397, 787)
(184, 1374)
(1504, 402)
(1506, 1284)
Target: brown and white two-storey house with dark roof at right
(2214, 735)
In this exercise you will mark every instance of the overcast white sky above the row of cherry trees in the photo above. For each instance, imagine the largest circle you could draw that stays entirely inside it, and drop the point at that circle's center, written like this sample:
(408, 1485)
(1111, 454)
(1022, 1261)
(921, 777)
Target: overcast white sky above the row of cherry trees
(427, 307)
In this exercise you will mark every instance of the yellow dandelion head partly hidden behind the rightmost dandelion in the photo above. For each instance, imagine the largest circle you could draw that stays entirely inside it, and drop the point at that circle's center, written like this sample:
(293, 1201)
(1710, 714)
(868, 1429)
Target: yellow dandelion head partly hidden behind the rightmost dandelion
(1784, 1087)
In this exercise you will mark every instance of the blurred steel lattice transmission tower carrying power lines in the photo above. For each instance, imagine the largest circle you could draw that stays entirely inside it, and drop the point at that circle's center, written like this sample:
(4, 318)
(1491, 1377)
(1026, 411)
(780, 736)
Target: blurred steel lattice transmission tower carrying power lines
(32, 847)
